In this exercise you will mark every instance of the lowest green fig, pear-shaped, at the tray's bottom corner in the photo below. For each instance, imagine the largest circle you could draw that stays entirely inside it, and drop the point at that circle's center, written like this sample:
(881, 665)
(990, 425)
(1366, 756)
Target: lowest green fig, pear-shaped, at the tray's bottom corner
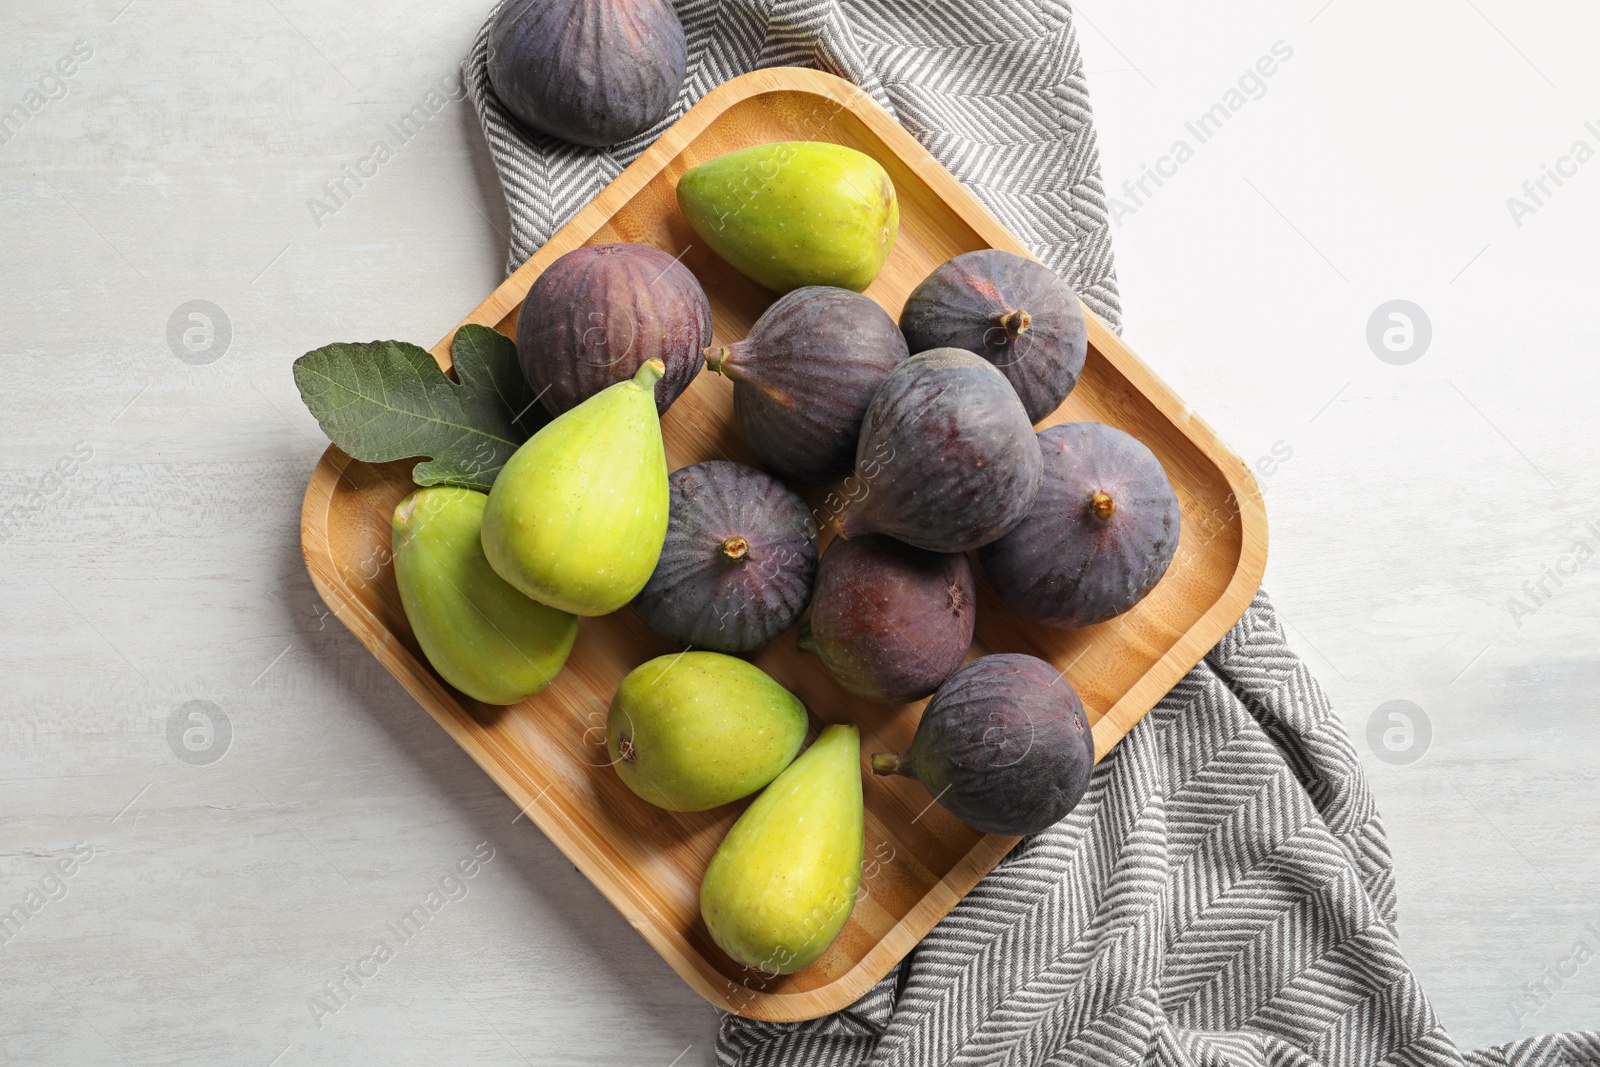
(785, 881)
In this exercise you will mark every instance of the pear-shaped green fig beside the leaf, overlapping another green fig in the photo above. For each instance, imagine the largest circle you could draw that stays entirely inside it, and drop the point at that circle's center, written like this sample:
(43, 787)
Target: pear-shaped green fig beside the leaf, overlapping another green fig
(578, 514)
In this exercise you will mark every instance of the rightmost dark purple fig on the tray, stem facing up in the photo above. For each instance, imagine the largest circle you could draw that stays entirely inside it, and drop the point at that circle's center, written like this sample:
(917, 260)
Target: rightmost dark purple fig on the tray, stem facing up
(1102, 533)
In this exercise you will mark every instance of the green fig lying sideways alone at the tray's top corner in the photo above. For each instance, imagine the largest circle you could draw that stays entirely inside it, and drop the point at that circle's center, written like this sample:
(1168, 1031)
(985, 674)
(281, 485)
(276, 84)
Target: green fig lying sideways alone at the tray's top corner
(794, 214)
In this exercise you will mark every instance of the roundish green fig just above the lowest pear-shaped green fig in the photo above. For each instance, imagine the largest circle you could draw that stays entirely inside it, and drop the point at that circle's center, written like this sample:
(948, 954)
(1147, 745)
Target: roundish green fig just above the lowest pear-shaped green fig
(700, 730)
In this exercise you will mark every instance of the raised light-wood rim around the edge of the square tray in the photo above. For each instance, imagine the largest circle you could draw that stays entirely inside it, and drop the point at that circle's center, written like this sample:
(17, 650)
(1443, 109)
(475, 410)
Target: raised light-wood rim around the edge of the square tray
(524, 791)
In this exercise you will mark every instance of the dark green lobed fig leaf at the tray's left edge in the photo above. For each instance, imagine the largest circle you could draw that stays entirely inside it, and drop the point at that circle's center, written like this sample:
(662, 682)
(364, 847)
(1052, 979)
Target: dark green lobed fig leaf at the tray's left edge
(390, 401)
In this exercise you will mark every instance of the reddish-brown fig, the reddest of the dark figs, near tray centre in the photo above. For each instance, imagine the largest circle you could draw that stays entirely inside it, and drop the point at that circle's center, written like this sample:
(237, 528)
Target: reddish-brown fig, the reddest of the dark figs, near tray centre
(890, 621)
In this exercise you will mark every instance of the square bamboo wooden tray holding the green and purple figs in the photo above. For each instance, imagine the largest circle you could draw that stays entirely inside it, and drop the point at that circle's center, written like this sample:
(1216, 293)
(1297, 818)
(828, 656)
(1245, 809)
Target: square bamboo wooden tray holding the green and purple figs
(550, 753)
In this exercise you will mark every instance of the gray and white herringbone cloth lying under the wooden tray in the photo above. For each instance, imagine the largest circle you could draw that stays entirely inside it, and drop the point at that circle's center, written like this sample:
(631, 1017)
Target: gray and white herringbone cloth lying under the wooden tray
(1225, 895)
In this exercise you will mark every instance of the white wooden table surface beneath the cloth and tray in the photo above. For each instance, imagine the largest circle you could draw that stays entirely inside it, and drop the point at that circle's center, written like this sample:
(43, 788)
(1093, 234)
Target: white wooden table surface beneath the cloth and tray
(196, 909)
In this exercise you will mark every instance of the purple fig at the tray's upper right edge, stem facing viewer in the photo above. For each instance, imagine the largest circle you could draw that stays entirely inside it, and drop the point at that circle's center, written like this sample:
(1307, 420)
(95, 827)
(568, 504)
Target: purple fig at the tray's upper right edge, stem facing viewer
(1015, 313)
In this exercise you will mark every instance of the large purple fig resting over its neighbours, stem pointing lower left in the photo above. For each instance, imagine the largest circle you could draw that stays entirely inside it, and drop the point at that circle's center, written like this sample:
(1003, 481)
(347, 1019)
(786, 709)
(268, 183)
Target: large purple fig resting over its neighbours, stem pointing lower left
(948, 460)
